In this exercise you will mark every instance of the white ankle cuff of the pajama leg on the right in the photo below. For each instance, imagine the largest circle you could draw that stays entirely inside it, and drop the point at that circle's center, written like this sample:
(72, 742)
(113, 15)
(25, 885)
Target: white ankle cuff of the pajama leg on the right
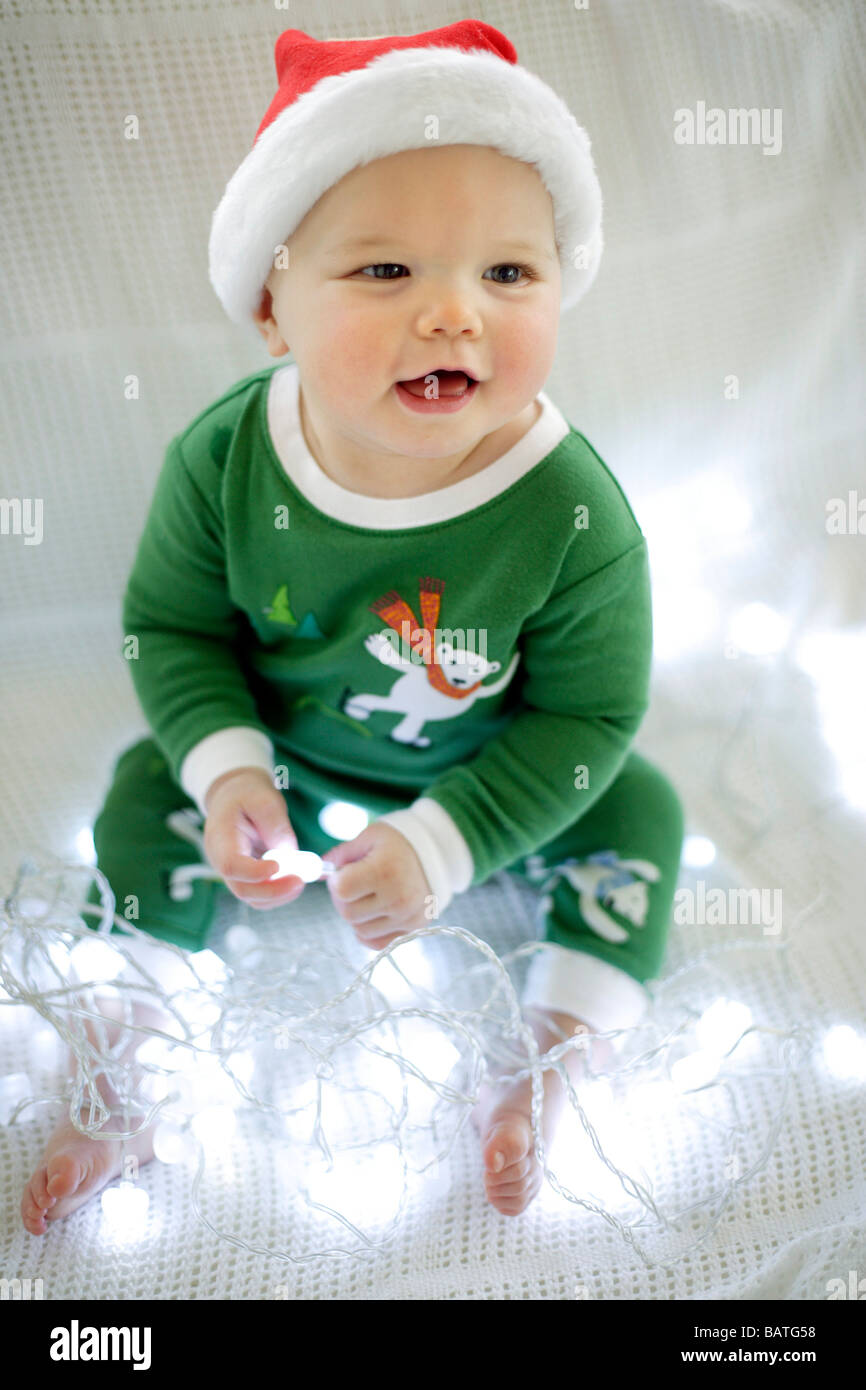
(590, 989)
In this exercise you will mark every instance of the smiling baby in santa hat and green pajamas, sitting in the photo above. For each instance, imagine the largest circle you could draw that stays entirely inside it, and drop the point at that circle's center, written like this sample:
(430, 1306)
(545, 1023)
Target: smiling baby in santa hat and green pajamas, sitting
(316, 528)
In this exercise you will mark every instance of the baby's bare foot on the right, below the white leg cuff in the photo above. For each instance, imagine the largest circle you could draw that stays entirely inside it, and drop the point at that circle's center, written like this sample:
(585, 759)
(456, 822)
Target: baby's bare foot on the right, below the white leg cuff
(503, 1117)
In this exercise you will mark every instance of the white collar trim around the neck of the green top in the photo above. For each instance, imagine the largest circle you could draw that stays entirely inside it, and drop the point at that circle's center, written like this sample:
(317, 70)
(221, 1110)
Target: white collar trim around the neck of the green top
(395, 514)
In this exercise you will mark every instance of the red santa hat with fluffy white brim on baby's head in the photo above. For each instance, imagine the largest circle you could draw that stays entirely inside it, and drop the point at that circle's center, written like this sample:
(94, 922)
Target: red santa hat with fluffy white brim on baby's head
(345, 102)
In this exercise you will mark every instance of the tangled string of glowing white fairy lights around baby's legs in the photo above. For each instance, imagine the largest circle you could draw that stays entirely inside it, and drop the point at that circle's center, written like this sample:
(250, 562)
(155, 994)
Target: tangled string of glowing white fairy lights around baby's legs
(206, 1043)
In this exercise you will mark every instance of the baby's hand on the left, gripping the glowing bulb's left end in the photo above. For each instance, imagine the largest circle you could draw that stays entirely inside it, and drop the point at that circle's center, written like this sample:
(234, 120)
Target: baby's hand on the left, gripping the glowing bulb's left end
(247, 817)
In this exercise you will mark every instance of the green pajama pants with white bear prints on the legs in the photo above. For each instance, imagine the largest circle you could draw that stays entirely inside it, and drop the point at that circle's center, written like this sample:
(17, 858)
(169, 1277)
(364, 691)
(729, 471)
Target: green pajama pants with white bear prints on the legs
(607, 882)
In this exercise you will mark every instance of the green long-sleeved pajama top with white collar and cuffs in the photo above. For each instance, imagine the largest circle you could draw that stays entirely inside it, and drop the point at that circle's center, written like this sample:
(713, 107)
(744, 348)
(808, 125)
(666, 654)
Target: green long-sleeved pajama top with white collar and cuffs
(479, 655)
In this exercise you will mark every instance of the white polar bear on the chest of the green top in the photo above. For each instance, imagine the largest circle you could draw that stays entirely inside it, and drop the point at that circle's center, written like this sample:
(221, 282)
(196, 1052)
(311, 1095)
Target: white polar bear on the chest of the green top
(414, 694)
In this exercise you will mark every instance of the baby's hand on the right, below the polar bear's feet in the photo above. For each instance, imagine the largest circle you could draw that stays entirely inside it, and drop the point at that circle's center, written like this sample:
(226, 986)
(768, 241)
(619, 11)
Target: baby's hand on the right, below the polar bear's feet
(382, 889)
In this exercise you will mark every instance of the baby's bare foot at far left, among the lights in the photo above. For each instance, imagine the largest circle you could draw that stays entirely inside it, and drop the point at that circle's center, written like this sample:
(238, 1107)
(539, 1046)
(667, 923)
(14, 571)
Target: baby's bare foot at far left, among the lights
(76, 1167)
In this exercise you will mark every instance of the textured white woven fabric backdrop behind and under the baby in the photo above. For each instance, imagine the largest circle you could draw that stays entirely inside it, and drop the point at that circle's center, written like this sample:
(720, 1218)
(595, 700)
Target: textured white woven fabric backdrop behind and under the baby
(721, 262)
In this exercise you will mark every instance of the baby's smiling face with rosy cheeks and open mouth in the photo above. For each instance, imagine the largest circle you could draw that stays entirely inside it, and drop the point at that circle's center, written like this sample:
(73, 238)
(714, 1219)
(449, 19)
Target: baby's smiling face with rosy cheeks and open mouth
(459, 268)
